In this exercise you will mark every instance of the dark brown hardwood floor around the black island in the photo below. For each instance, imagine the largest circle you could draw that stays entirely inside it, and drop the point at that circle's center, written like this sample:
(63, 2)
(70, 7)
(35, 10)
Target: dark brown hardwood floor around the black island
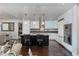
(54, 49)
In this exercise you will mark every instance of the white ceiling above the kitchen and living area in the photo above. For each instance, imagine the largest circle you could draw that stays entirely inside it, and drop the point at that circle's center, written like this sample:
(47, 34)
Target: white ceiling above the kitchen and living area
(31, 10)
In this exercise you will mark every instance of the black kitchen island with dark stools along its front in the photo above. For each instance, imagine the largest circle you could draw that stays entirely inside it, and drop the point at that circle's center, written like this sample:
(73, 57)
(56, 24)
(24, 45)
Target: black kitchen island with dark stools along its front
(35, 40)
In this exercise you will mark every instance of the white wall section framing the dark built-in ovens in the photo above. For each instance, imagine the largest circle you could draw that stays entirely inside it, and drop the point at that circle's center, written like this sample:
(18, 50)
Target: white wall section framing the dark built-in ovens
(67, 20)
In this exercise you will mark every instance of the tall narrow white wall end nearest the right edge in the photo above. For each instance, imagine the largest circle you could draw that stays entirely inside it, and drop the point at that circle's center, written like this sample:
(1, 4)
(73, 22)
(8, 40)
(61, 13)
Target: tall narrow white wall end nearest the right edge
(74, 30)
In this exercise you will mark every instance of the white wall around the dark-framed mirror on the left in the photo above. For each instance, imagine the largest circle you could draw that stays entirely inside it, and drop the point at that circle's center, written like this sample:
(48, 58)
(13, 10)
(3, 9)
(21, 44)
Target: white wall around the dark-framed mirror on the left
(13, 34)
